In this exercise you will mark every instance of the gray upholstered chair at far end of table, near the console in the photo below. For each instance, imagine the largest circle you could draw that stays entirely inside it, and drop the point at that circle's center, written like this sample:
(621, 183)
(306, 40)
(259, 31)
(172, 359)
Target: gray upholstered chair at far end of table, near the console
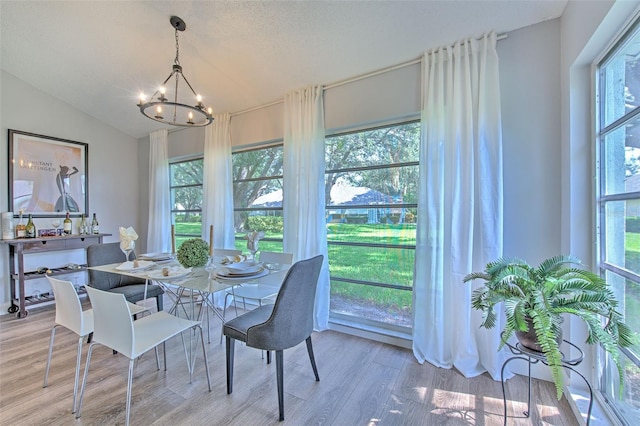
(131, 287)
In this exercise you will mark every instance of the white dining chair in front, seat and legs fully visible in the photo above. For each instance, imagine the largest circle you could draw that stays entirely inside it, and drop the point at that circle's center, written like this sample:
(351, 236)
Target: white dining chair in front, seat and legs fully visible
(114, 328)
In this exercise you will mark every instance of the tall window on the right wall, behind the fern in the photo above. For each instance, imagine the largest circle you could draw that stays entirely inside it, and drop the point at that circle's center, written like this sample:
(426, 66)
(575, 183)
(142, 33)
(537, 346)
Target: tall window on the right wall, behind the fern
(618, 132)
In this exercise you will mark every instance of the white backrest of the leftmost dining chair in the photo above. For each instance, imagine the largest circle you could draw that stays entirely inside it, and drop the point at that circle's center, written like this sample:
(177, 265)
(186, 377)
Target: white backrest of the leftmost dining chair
(68, 308)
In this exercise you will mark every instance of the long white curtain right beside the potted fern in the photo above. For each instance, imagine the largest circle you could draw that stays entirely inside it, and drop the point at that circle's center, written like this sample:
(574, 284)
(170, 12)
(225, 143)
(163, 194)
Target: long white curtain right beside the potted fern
(460, 213)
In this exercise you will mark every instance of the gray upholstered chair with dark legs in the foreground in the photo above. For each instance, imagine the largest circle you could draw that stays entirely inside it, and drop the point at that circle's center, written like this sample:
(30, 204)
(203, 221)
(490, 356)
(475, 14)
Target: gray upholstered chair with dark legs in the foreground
(280, 326)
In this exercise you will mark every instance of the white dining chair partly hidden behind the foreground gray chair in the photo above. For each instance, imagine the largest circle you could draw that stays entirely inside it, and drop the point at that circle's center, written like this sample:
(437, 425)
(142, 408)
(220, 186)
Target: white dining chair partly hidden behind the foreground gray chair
(258, 293)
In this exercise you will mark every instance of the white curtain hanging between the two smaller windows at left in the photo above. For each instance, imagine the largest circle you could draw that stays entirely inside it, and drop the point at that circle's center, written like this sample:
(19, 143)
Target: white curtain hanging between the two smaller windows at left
(217, 183)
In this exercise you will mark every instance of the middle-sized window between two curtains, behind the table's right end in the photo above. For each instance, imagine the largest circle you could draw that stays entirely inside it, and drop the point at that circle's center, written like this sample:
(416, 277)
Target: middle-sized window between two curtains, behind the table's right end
(257, 196)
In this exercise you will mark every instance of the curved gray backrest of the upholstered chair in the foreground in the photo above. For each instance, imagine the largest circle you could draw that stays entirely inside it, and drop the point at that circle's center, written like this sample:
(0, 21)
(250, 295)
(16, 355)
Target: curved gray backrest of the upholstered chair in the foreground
(291, 320)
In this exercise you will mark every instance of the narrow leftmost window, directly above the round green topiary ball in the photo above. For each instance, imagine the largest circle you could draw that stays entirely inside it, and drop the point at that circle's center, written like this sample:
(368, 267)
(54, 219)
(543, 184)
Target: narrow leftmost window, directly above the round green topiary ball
(185, 185)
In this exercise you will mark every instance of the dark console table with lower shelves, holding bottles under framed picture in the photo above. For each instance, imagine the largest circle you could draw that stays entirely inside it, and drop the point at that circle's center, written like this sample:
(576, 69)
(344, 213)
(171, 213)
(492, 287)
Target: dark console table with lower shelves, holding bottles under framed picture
(18, 248)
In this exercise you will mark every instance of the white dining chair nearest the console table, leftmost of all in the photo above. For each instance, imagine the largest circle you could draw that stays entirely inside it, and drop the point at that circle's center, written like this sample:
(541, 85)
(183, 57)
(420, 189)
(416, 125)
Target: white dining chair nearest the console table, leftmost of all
(69, 314)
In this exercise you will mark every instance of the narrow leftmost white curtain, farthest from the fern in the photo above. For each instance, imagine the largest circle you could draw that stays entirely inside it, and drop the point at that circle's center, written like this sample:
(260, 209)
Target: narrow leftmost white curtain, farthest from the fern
(159, 227)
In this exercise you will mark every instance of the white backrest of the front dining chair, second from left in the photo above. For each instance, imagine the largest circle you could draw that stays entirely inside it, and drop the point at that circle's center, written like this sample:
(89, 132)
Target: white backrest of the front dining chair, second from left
(113, 322)
